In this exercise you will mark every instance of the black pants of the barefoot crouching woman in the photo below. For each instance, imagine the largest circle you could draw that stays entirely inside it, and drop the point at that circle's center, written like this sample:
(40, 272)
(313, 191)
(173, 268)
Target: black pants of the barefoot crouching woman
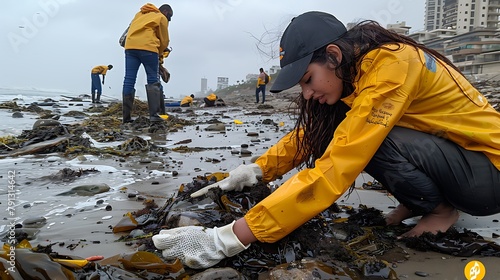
(422, 170)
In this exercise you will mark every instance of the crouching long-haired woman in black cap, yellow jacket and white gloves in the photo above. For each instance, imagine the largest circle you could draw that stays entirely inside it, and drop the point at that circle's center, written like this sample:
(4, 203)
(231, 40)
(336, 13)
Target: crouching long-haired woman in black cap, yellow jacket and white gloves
(371, 100)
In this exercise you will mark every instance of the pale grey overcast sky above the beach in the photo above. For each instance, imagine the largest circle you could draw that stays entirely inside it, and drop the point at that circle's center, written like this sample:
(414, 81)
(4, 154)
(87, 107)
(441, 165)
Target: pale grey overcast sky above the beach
(53, 44)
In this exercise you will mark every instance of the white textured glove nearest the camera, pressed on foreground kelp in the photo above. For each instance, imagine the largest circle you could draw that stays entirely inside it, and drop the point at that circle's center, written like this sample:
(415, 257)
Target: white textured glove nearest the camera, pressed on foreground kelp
(199, 247)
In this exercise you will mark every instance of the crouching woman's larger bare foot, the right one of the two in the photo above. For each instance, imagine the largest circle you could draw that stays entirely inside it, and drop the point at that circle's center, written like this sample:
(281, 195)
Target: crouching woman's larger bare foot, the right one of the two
(439, 220)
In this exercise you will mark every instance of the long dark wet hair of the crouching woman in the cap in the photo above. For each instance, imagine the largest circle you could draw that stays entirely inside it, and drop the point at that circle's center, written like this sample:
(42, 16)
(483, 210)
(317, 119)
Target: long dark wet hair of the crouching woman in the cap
(319, 121)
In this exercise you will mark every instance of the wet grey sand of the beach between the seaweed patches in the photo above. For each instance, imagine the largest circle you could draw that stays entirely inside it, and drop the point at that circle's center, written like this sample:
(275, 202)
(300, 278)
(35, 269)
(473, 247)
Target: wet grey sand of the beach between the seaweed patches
(81, 224)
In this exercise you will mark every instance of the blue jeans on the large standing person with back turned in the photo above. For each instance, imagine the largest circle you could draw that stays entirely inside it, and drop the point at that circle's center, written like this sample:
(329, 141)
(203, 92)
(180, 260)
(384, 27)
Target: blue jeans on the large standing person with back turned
(133, 60)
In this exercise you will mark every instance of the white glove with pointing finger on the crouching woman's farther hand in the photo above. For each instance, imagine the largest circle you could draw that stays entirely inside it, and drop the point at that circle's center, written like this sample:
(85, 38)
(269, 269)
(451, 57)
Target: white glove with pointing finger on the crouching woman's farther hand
(242, 176)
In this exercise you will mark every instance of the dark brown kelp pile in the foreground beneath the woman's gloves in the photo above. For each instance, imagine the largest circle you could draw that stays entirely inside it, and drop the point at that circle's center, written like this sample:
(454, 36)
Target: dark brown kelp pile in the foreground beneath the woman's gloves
(342, 242)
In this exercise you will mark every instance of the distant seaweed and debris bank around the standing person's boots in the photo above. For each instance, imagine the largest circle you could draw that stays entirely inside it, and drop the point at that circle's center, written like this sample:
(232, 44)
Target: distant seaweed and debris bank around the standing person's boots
(48, 135)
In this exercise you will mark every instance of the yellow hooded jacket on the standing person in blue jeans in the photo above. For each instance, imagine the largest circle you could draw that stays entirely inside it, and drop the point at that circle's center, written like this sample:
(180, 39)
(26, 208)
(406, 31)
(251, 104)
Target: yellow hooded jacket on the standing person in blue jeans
(148, 31)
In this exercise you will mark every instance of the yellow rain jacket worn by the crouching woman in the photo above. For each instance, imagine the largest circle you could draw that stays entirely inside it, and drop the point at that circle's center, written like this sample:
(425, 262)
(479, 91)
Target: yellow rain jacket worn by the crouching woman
(407, 88)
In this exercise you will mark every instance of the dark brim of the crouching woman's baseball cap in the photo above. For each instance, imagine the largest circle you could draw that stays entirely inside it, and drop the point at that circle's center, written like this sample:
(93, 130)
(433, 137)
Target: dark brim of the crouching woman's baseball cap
(291, 74)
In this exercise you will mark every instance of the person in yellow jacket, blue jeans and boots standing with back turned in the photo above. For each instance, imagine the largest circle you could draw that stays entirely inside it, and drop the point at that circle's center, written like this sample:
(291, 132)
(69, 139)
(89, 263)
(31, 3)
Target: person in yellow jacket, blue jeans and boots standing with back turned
(147, 38)
